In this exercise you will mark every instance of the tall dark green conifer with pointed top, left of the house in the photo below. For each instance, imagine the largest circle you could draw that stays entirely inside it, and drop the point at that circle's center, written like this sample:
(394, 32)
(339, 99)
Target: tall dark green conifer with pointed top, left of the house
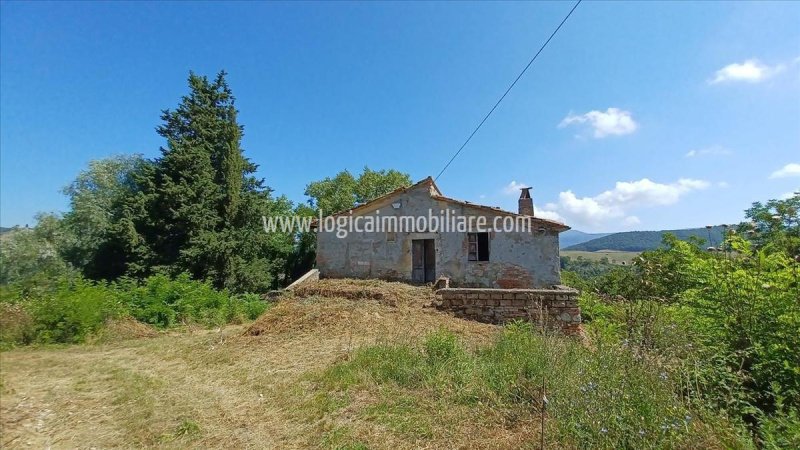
(199, 210)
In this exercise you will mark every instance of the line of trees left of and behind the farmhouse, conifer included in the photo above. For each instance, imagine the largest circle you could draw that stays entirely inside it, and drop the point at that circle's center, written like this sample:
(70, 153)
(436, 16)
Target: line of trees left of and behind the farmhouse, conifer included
(194, 209)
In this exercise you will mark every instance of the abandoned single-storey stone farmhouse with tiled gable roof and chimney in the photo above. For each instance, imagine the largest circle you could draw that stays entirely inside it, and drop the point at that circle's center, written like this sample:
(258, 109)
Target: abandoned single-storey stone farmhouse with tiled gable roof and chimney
(457, 248)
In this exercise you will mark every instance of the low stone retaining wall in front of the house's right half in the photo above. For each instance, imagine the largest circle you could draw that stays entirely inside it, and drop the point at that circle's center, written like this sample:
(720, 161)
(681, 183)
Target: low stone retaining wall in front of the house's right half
(558, 306)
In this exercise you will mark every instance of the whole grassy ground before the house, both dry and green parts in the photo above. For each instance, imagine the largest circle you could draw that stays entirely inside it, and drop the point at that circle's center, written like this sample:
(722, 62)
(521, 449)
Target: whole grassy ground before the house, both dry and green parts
(329, 372)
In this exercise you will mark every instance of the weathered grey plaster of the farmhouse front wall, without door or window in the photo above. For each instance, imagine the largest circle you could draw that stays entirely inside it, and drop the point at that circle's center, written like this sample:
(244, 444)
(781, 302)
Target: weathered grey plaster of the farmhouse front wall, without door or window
(525, 259)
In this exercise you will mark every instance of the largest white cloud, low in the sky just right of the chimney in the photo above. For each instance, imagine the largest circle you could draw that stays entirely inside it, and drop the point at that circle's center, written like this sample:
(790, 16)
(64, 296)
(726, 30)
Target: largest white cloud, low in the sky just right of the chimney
(613, 206)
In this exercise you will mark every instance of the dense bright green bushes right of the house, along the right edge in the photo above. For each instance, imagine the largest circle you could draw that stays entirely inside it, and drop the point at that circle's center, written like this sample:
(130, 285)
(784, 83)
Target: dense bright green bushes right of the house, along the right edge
(725, 320)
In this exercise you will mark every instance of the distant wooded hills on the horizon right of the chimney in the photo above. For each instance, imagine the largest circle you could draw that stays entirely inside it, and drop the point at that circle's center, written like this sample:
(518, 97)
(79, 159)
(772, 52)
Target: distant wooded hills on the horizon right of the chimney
(639, 241)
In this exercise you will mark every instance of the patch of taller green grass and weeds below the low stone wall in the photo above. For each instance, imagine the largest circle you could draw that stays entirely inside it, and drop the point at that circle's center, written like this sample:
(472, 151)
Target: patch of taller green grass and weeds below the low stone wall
(605, 397)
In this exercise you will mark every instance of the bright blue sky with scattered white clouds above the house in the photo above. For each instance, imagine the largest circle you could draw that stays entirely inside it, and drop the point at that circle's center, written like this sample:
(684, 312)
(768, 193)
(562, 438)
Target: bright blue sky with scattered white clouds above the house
(637, 116)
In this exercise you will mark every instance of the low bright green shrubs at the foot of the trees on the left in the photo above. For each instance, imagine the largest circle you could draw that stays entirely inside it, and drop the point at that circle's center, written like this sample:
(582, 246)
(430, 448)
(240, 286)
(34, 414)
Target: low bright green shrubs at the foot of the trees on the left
(70, 310)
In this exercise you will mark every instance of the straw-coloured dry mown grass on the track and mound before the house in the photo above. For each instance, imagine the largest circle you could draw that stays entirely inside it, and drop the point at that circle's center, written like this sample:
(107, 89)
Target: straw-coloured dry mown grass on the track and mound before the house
(244, 386)
